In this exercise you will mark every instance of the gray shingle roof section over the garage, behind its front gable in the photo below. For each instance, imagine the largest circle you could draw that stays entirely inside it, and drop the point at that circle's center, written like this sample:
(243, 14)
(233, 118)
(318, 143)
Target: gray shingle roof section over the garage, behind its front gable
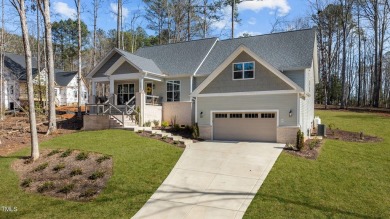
(285, 51)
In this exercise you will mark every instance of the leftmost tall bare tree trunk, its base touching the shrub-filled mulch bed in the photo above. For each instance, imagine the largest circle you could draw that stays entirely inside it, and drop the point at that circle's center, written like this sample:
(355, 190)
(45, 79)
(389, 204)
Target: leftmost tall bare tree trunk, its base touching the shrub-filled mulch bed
(20, 7)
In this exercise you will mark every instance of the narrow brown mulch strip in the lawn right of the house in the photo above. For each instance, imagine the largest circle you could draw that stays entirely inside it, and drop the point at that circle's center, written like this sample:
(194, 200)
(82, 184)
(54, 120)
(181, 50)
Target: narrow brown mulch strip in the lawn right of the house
(342, 135)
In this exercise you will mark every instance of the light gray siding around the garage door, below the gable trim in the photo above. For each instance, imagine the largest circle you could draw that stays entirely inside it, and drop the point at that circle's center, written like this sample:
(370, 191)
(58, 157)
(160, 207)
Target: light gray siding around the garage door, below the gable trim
(281, 102)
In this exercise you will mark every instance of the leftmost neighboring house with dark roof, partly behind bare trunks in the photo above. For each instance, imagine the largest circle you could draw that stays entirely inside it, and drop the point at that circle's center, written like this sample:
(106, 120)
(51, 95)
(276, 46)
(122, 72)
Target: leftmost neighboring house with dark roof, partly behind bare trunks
(15, 80)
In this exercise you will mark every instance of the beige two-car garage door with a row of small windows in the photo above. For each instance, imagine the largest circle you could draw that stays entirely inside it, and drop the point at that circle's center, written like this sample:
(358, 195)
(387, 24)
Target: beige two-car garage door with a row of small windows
(245, 126)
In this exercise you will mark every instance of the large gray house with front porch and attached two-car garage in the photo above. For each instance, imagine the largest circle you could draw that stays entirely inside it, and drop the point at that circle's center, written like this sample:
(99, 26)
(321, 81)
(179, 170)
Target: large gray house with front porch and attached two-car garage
(258, 88)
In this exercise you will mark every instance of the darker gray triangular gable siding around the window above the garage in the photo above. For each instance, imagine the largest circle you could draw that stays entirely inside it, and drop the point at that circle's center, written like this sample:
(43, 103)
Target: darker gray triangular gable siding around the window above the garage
(264, 79)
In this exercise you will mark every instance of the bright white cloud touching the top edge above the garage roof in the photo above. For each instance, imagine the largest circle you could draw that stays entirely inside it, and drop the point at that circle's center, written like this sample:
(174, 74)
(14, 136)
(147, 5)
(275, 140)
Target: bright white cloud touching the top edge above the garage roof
(281, 6)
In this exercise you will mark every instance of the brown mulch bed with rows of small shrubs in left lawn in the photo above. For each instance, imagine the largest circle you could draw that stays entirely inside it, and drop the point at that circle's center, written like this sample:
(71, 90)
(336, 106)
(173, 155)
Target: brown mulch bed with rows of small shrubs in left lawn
(61, 182)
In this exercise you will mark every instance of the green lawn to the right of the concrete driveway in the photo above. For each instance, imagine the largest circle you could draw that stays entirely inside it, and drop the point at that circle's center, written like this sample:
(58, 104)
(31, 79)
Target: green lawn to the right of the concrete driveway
(348, 180)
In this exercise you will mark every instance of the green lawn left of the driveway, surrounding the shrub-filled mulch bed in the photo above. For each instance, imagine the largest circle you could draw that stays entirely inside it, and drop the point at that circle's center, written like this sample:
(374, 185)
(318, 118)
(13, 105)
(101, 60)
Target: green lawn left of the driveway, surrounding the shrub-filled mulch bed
(140, 166)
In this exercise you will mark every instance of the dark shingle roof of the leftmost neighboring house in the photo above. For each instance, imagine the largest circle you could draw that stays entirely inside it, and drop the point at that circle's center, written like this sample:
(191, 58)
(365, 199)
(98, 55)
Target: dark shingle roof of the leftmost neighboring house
(17, 65)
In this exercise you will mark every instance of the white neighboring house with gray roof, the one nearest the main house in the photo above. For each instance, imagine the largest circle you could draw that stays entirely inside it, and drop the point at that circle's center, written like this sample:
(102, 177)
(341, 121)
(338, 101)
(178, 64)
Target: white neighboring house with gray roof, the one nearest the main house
(66, 88)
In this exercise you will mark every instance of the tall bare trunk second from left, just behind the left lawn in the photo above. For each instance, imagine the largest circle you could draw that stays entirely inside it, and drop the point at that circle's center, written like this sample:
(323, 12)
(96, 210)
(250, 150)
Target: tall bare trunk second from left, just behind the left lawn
(44, 7)
